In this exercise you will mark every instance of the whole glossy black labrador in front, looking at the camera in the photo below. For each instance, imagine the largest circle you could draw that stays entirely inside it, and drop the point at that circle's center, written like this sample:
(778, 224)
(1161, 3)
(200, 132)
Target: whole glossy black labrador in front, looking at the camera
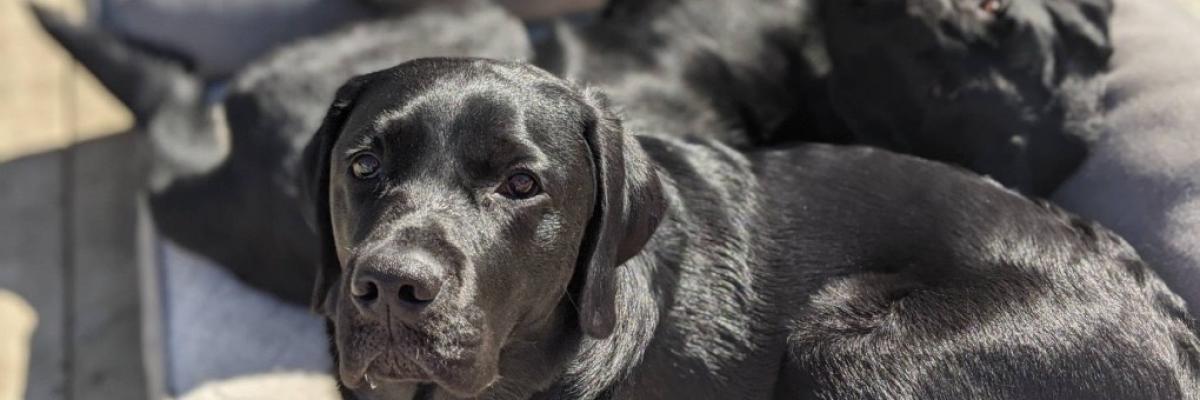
(491, 231)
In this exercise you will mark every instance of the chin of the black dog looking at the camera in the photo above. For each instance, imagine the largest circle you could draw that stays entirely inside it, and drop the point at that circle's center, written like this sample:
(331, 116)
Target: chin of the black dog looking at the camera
(389, 369)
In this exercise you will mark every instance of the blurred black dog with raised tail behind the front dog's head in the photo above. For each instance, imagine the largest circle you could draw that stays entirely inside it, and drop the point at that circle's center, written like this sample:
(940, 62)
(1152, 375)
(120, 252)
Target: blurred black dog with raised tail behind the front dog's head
(224, 175)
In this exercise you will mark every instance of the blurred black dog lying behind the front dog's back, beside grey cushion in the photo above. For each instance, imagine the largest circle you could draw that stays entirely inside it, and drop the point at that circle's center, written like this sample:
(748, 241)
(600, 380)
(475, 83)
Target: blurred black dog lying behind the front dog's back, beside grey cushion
(1006, 88)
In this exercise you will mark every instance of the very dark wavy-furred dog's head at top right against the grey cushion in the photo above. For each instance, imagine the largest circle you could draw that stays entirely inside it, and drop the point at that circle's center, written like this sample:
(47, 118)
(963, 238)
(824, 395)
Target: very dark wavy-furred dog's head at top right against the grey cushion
(1007, 88)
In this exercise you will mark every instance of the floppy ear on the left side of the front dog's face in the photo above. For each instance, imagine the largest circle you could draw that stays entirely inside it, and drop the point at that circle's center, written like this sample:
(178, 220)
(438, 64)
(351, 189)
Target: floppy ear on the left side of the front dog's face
(314, 174)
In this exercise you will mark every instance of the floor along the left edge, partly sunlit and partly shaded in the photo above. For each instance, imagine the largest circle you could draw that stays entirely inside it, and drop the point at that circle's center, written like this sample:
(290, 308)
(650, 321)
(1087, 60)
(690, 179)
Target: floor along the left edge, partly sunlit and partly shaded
(68, 188)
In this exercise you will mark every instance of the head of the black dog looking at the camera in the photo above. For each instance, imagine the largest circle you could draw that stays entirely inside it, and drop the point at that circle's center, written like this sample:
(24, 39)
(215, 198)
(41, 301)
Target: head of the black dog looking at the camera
(466, 205)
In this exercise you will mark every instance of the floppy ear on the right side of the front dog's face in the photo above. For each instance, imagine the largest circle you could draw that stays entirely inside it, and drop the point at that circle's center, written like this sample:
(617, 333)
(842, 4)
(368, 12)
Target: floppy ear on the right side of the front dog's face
(629, 206)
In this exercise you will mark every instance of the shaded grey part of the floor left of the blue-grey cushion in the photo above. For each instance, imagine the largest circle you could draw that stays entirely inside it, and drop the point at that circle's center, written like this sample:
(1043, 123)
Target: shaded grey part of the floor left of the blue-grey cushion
(68, 248)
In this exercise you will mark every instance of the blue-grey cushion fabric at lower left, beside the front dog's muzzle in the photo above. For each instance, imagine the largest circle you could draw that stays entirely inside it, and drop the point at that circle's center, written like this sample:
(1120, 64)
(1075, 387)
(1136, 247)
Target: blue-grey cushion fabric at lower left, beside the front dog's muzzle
(218, 330)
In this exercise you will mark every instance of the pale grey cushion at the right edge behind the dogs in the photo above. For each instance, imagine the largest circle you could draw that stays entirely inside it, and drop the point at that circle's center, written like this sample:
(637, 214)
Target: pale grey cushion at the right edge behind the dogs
(1143, 178)
